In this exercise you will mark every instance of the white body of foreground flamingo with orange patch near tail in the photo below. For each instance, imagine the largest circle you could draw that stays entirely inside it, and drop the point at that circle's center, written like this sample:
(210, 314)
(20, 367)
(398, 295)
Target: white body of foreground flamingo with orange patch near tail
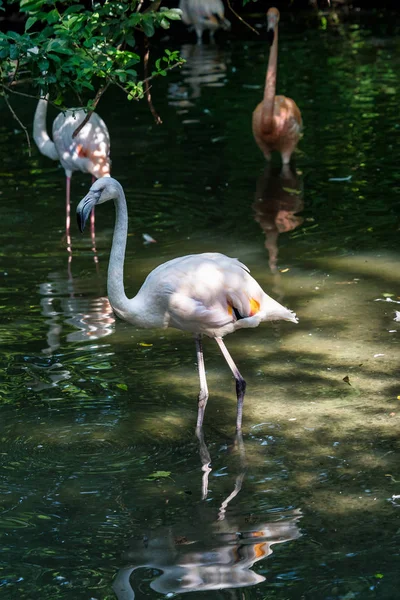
(208, 293)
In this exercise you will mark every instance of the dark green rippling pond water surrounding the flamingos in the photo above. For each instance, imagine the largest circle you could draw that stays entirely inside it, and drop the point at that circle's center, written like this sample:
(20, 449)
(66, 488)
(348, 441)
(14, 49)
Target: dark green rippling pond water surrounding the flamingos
(102, 475)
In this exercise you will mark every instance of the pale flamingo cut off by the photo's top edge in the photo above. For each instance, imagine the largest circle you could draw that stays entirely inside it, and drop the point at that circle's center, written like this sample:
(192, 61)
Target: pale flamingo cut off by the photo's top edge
(203, 15)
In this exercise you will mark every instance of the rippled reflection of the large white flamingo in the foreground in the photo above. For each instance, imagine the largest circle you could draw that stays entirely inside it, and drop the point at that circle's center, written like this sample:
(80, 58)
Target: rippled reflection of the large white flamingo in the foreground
(218, 555)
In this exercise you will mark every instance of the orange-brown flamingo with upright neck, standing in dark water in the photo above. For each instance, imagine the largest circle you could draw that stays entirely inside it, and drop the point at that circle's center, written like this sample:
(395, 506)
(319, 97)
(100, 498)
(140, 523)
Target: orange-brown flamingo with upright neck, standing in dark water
(276, 120)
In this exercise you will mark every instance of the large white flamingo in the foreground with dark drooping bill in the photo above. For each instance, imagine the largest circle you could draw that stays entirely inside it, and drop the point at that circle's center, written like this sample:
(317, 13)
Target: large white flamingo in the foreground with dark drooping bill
(208, 294)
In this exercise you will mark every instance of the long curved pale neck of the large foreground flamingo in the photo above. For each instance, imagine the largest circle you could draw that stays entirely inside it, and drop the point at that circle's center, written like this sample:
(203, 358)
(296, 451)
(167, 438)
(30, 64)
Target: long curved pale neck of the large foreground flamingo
(115, 278)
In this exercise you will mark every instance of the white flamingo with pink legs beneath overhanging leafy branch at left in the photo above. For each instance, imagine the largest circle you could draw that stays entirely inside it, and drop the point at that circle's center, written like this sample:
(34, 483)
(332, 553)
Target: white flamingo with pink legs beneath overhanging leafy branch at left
(87, 152)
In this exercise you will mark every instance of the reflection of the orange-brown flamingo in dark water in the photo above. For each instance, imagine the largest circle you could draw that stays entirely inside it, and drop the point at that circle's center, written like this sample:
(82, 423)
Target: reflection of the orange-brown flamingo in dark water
(279, 197)
